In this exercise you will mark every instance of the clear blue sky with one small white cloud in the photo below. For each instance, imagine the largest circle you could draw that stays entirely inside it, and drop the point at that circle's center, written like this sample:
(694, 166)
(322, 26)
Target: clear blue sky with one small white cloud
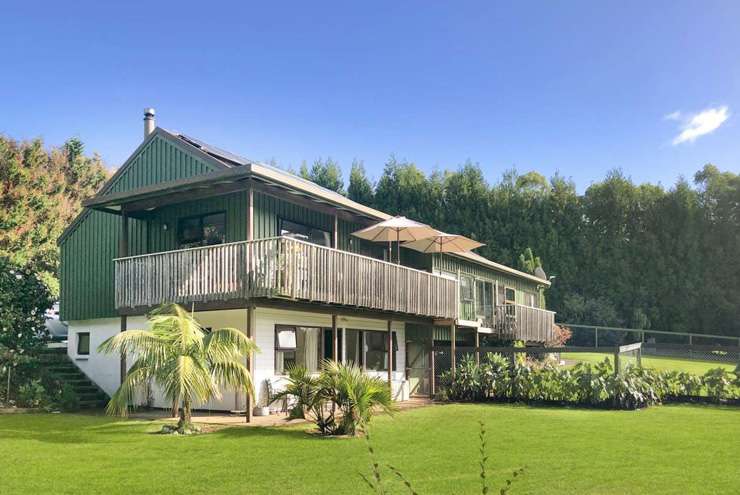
(571, 87)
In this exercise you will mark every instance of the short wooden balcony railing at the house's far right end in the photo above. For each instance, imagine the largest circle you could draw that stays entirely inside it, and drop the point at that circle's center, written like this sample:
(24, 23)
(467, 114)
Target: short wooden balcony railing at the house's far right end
(519, 322)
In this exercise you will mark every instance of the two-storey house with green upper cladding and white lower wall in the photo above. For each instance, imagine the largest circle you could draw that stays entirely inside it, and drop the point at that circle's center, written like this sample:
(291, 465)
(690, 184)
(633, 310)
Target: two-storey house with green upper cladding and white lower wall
(249, 246)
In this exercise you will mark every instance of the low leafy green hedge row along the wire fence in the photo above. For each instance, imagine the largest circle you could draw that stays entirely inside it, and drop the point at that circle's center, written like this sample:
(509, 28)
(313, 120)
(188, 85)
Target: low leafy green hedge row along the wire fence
(596, 385)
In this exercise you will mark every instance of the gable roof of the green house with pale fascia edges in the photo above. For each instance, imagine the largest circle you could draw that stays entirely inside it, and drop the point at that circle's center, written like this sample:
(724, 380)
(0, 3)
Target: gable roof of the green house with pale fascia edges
(234, 167)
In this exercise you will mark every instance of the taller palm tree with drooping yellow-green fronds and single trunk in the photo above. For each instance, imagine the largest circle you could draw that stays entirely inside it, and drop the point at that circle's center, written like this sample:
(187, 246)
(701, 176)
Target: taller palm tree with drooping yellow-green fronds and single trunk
(188, 363)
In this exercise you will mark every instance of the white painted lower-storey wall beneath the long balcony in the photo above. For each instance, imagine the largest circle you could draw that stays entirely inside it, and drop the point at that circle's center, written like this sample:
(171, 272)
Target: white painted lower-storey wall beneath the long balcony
(105, 369)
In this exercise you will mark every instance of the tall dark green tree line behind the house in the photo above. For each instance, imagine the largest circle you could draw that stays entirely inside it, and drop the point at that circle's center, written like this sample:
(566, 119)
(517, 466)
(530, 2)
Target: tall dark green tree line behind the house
(621, 254)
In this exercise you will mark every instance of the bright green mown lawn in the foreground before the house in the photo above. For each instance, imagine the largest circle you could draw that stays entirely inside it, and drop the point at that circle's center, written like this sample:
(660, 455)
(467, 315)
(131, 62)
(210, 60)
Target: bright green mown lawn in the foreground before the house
(667, 449)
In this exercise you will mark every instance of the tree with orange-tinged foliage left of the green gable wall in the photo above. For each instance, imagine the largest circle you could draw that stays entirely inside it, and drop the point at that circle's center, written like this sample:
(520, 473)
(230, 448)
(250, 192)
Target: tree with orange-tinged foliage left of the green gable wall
(40, 193)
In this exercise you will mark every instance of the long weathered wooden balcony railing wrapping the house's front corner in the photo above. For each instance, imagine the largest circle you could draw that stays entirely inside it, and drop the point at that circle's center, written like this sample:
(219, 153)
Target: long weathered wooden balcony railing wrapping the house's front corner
(285, 268)
